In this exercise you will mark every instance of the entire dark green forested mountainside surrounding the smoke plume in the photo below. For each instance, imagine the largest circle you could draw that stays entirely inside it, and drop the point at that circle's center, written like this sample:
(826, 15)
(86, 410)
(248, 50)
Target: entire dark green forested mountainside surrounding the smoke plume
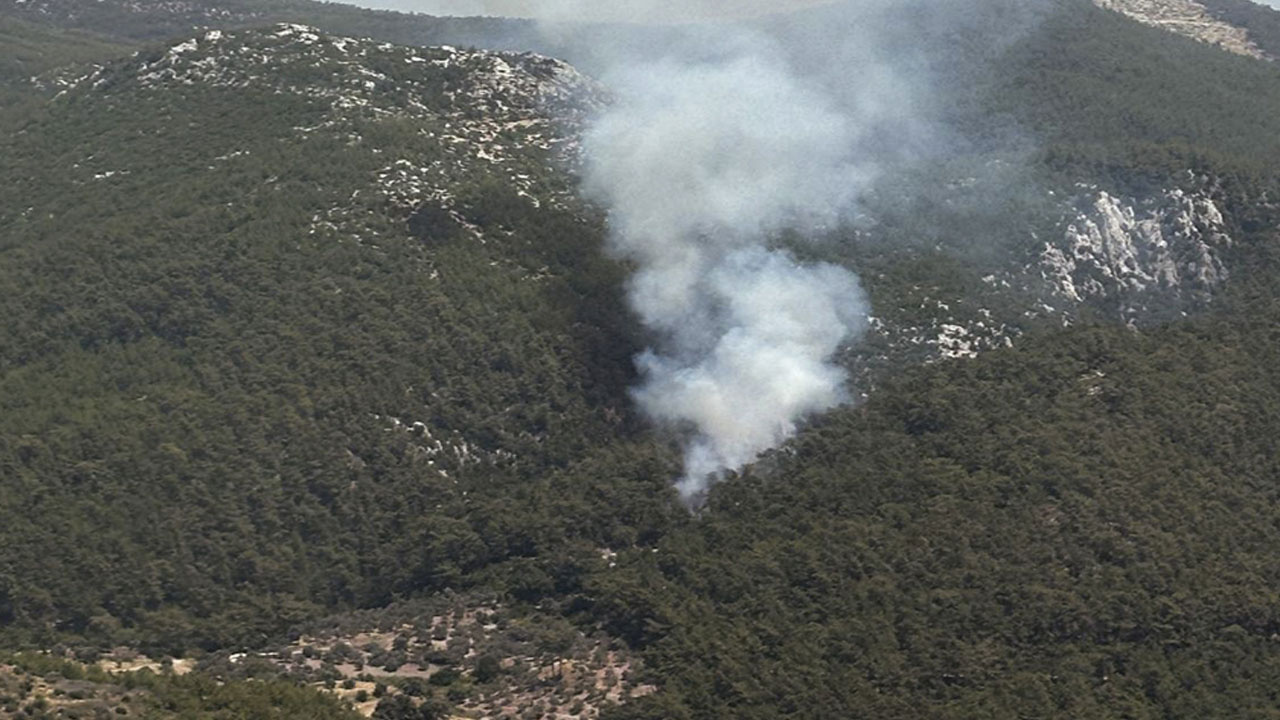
(313, 370)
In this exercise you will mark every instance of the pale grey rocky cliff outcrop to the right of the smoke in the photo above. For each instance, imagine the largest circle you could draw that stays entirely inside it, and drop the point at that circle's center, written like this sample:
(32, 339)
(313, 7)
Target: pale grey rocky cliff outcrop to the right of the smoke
(1139, 261)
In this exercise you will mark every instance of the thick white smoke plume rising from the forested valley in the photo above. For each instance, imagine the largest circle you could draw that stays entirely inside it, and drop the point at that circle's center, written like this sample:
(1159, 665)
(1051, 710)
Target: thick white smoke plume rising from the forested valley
(721, 138)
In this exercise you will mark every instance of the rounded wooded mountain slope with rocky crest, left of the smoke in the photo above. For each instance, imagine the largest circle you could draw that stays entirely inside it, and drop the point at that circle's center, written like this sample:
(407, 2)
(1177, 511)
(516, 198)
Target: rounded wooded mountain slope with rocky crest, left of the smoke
(234, 288)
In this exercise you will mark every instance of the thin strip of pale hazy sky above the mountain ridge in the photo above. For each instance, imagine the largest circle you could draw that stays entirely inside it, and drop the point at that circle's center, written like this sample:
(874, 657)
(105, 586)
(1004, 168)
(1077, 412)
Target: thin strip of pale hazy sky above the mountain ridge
(673, 11)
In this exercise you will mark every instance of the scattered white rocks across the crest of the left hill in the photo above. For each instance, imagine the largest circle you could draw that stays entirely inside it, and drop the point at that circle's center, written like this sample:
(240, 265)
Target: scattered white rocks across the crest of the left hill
(505, 115)
